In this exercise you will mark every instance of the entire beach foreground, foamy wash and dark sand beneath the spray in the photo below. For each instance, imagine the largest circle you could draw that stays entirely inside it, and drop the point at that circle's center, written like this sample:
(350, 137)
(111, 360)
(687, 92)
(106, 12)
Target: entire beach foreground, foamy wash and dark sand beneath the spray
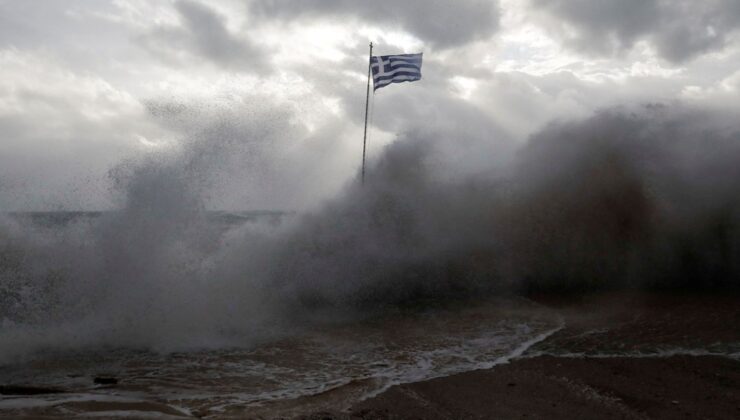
(620, 355)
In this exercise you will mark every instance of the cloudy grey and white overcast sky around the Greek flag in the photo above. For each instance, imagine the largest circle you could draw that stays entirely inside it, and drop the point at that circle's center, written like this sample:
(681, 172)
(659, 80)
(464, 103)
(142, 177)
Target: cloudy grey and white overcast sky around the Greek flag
(272, 92)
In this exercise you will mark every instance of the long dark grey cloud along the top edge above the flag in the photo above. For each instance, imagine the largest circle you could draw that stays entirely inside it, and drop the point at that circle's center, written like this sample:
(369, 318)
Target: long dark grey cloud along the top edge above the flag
(438, 22)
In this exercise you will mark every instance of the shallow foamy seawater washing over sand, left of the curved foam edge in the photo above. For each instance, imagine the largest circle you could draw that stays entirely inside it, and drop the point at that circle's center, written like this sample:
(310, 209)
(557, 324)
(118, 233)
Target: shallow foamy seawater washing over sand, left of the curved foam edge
(331, 367)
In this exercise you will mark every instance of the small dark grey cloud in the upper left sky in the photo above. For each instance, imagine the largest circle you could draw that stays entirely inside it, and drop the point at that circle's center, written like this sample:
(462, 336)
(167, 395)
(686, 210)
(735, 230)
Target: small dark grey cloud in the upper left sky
(203, 33)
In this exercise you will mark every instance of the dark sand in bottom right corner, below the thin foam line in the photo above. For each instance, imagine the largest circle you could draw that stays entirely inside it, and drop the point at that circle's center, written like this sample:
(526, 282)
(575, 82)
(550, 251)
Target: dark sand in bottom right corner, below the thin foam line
(556, 388)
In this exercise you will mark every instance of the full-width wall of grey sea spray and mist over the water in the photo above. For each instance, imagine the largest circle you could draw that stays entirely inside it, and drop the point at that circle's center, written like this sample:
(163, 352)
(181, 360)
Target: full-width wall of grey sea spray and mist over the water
(643, 197)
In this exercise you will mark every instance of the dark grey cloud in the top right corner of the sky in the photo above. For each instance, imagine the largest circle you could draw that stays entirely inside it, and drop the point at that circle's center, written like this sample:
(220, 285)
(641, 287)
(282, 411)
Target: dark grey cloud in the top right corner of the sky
(679, 30)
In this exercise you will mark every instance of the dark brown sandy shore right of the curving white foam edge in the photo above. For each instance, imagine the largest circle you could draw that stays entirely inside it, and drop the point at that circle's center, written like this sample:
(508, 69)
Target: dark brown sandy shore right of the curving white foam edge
(626, 356)
